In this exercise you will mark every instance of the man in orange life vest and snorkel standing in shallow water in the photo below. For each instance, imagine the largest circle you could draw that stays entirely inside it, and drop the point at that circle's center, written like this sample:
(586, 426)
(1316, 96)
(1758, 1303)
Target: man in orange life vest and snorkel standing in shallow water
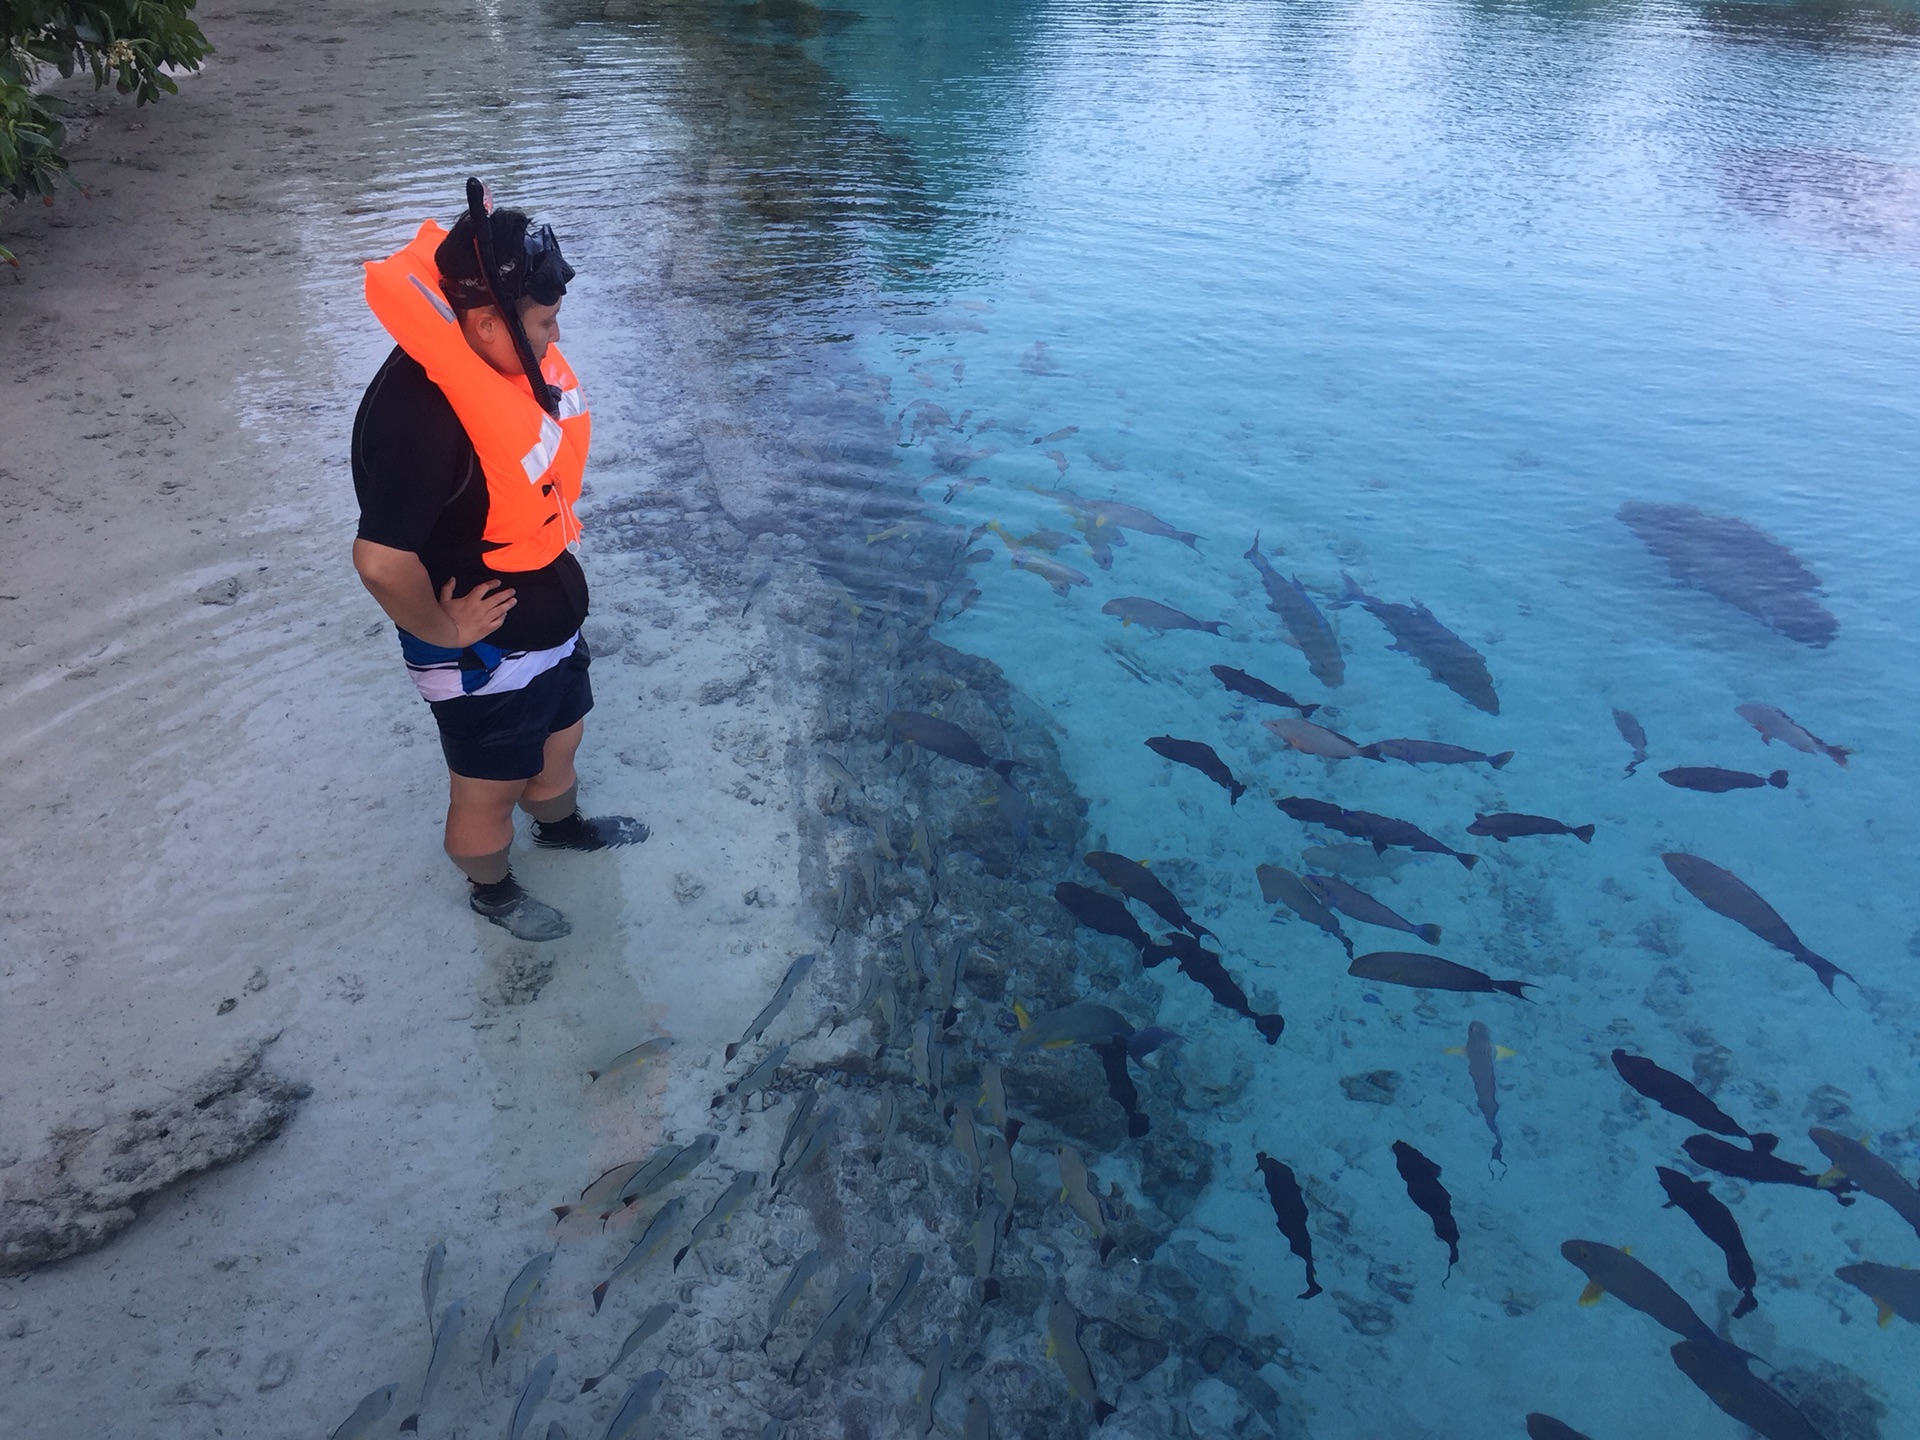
(469, 450)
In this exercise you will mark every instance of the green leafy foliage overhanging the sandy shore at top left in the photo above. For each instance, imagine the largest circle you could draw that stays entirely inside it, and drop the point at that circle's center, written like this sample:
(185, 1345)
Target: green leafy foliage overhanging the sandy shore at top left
(130, 43)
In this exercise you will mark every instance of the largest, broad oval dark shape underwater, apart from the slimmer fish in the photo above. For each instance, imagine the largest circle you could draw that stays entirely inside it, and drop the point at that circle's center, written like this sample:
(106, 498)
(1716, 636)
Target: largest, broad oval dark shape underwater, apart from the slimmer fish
(1737, 564)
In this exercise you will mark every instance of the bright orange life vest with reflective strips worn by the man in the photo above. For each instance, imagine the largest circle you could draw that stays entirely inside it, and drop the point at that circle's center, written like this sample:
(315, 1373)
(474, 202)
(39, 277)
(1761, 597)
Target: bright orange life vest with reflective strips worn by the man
(531, 460)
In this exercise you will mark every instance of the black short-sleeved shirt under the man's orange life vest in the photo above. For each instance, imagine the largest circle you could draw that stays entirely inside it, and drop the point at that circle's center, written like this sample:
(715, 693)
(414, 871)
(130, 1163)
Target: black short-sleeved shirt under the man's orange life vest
(421, 491)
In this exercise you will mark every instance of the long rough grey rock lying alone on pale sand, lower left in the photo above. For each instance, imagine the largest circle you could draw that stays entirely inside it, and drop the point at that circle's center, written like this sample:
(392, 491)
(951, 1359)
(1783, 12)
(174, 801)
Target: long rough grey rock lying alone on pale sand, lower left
(93, 1182)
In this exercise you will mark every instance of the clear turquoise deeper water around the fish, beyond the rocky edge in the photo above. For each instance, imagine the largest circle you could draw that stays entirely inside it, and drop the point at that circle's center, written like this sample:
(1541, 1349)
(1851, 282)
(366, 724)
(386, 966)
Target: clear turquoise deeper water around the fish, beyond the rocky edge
(1426, 293)
